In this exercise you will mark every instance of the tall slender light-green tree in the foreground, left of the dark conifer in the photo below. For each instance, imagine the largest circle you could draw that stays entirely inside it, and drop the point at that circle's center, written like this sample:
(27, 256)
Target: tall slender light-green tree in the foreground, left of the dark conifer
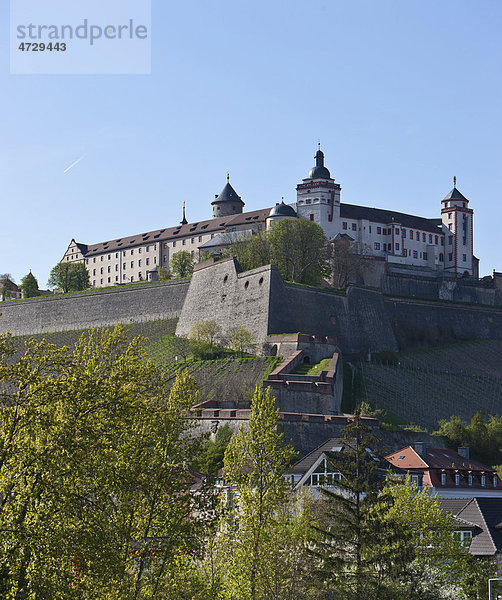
(254, 466)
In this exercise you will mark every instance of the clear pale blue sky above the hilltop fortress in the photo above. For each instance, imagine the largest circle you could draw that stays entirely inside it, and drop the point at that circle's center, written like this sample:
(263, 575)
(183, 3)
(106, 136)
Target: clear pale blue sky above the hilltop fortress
(402, 94)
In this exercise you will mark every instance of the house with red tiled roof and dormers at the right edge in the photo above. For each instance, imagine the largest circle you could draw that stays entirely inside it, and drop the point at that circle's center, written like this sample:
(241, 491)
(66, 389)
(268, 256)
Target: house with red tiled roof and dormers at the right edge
(446, 473)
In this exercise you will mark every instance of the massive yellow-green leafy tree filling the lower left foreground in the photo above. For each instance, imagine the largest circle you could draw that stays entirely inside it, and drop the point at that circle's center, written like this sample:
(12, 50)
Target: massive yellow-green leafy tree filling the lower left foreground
(94, 472)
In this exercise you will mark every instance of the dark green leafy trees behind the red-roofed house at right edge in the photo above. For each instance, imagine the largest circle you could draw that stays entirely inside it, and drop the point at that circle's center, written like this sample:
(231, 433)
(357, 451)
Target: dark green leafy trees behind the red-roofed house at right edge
(484, 437)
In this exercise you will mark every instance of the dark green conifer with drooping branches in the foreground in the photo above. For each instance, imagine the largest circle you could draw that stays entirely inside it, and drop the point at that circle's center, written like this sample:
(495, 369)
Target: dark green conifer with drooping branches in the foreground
(358, 553)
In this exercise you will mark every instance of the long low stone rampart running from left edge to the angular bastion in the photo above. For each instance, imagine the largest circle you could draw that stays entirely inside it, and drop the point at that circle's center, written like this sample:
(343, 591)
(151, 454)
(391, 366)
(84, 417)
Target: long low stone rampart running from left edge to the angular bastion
(102, 308)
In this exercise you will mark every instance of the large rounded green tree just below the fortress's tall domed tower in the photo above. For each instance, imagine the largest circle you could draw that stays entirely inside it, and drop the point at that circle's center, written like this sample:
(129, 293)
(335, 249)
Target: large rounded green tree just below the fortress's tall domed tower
(298, 249)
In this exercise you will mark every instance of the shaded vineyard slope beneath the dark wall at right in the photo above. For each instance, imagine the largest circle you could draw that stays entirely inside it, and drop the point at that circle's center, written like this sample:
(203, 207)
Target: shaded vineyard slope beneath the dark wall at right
(435, 383)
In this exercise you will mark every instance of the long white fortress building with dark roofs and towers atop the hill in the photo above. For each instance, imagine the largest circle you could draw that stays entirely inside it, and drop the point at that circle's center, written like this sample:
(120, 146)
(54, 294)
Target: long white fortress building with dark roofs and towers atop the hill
(437, 245)
